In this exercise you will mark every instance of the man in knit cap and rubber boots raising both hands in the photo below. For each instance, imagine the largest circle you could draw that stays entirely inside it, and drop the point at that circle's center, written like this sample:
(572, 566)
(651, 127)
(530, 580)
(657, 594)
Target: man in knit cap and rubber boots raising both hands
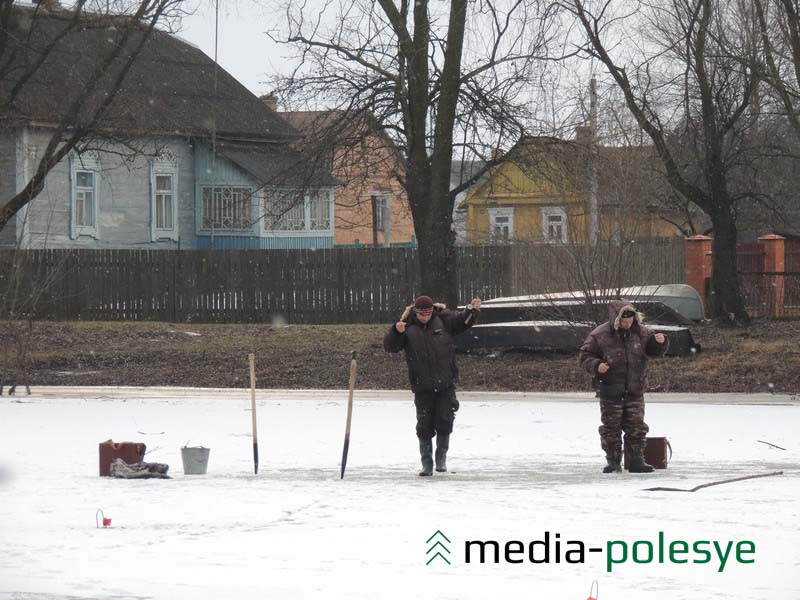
(425, 332)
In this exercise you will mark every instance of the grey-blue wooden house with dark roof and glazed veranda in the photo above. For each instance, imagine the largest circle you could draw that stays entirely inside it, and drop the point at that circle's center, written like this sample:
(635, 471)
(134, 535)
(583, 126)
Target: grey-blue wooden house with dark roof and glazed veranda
(179, 162)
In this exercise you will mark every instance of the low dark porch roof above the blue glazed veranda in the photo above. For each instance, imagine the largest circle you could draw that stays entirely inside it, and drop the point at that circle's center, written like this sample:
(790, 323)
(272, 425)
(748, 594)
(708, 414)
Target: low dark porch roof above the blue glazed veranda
(274, 164)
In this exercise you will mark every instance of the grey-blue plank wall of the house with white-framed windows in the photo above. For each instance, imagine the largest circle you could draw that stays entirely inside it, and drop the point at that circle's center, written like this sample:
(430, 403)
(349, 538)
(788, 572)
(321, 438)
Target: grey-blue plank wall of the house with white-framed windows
(124, 196)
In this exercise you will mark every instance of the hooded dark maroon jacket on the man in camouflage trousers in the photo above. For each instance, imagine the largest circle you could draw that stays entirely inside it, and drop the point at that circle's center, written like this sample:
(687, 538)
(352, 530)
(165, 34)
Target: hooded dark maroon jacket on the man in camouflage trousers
(624, 351)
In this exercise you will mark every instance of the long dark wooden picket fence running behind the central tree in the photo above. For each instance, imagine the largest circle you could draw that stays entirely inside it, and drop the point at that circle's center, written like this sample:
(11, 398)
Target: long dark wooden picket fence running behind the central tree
(370, 285)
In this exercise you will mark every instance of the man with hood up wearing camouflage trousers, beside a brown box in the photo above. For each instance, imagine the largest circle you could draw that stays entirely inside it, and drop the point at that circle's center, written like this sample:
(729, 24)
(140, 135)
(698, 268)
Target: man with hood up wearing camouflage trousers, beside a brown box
(616, 353)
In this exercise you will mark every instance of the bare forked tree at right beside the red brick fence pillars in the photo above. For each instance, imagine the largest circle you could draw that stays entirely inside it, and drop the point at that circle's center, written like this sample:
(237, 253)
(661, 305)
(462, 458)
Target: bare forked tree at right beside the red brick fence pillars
(684, 81)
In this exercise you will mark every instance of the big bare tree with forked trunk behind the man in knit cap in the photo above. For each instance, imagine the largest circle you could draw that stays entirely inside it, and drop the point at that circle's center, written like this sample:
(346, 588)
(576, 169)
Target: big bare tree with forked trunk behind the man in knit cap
(441, 79)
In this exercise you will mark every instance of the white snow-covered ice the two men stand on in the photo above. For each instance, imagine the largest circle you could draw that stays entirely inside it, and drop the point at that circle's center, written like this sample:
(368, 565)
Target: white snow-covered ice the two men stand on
(523, 465)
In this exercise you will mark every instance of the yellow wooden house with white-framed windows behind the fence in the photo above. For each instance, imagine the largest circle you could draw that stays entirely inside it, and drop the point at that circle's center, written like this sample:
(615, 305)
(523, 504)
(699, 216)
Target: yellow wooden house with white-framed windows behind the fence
(542, 192)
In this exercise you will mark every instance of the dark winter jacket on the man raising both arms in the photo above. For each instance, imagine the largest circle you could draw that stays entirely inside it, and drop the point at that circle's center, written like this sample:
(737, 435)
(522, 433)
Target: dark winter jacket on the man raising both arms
(429, 348)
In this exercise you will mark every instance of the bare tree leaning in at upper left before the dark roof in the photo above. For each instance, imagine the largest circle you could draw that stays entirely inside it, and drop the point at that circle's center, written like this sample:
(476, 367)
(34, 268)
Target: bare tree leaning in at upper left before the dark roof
(35, 42)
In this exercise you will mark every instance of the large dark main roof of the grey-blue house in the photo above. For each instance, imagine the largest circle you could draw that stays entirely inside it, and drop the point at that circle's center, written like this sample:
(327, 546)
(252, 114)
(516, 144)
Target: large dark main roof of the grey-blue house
(169, 90)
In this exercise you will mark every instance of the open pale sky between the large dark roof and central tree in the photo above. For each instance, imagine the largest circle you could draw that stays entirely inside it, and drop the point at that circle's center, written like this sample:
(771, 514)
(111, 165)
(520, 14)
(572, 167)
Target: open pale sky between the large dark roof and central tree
(244, 49)
